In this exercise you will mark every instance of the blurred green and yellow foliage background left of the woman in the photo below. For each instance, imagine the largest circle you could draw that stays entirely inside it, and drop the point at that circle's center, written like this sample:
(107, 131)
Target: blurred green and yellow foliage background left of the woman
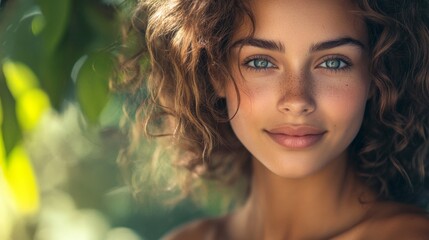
(59, 127)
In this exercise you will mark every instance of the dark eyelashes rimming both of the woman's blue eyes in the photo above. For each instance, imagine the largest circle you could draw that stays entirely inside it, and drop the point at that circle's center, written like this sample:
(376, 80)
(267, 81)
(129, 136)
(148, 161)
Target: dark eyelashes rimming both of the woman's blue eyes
(347, 63)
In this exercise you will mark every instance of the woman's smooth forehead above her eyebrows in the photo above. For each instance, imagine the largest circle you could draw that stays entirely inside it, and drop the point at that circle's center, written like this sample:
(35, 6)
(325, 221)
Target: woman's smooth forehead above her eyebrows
(304, 19)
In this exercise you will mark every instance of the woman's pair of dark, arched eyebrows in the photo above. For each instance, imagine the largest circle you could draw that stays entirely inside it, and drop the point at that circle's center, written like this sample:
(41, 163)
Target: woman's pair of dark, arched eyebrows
(278, 46)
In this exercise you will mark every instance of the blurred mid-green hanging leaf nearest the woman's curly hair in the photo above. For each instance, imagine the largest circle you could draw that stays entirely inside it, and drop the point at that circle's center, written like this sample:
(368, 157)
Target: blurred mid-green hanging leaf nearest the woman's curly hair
(92, 85)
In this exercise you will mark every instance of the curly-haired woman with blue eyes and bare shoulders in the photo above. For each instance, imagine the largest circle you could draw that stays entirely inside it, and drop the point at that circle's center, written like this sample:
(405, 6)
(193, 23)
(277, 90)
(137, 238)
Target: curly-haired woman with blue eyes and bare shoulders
(320, 105)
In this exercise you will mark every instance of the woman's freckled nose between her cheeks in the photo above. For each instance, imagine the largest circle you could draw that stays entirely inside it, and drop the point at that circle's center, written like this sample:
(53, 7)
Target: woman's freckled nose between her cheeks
(297, 95)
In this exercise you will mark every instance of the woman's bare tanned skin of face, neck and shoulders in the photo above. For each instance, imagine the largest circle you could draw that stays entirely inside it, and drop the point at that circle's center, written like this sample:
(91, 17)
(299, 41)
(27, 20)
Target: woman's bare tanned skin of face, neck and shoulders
(303, 85)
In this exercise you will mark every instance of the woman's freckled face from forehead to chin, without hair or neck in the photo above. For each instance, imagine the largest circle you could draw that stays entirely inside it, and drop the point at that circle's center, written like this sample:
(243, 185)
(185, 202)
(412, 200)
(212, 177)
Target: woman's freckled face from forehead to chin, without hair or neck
(303, 83)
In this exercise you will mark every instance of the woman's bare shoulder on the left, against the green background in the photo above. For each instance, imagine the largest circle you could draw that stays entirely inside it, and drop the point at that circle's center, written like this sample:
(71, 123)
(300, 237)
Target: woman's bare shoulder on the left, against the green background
(198, 229)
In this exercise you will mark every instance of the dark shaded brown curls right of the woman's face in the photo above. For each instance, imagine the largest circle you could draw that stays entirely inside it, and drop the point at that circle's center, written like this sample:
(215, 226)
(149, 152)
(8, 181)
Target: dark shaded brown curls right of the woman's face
(392, 148)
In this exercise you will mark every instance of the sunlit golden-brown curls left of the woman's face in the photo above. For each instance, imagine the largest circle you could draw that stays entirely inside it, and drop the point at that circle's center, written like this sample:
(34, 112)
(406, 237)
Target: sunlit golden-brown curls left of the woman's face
(188, 46)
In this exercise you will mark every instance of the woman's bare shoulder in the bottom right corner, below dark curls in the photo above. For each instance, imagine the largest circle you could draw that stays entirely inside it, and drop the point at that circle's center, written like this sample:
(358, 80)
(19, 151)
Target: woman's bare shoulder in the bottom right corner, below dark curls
(397, 221)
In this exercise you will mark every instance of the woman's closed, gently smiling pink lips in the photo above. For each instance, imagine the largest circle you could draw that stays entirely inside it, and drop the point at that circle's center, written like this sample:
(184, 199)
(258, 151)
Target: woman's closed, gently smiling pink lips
(296, 136)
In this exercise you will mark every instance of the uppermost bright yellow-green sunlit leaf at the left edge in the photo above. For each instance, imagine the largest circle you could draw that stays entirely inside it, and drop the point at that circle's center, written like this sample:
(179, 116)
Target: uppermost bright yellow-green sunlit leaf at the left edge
(19, 77)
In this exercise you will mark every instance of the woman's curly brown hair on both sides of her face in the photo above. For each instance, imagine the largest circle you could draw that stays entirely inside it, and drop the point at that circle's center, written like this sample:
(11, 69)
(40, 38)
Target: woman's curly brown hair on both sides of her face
(188, 44)
